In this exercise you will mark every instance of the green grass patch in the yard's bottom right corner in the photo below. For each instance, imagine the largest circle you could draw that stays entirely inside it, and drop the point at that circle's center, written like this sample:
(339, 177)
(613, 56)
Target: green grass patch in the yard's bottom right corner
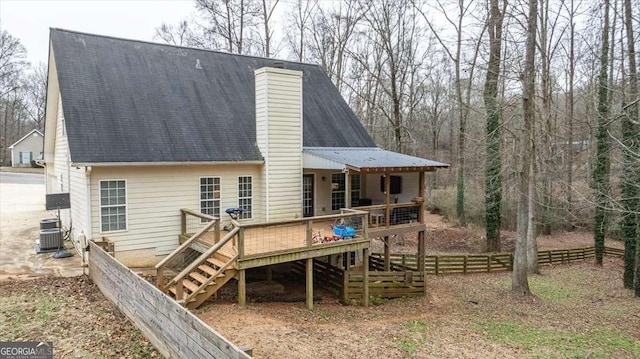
(553, 343)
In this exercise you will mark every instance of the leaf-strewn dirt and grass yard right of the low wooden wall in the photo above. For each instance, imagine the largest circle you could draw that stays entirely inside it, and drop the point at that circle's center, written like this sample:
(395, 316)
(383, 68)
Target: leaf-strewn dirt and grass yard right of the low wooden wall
(473, 316)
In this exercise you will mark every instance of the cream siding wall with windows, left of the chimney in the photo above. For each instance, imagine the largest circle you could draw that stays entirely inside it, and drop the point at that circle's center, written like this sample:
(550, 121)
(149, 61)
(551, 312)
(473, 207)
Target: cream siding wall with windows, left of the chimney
(155, 195)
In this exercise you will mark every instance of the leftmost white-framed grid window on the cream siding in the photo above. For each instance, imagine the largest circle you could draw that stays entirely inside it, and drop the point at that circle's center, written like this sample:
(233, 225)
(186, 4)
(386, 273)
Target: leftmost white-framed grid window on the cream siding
(113, 206)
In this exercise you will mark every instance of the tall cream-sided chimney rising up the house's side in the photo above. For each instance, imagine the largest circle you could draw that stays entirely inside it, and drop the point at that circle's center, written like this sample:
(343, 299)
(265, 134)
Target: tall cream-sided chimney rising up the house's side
(279, 138)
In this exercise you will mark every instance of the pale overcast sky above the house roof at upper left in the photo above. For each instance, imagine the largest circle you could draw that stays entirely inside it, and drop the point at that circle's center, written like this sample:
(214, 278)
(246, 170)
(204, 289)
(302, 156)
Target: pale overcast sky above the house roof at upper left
(30, 20)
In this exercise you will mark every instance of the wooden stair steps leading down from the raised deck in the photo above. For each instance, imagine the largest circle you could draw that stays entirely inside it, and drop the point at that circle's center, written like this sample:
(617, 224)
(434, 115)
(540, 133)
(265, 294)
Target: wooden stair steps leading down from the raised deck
(206, 279)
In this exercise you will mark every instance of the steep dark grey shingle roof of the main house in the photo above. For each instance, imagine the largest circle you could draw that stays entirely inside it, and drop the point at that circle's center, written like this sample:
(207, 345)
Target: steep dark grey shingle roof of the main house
(133, 101)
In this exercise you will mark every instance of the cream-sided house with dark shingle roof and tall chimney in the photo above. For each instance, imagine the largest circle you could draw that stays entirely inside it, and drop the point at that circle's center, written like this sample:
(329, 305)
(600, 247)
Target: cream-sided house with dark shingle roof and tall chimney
(135, 131)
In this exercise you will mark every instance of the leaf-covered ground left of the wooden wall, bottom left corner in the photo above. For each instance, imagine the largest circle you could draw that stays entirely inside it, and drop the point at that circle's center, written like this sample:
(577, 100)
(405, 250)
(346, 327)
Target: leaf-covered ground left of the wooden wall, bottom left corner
(73, 314)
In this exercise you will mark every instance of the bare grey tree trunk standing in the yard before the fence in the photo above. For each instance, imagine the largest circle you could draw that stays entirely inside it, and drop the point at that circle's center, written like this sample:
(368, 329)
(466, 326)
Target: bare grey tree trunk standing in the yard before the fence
(519, 281)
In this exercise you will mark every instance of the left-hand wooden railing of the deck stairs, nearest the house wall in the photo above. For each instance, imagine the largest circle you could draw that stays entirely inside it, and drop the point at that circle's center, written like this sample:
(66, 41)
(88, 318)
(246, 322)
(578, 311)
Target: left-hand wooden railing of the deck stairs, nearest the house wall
(199, 225)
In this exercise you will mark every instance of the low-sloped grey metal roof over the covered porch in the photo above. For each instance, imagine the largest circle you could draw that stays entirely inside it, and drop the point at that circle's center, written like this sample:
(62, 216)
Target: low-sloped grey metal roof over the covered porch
(366, 160)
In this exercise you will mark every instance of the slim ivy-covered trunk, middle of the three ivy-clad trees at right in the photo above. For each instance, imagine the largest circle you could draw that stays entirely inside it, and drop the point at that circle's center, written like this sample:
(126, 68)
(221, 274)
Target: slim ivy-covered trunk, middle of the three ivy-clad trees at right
(602, 164)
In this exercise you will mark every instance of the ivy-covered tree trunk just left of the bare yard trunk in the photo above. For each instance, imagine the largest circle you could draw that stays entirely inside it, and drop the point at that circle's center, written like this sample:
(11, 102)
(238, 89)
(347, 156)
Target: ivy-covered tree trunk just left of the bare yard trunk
(493, 169)
